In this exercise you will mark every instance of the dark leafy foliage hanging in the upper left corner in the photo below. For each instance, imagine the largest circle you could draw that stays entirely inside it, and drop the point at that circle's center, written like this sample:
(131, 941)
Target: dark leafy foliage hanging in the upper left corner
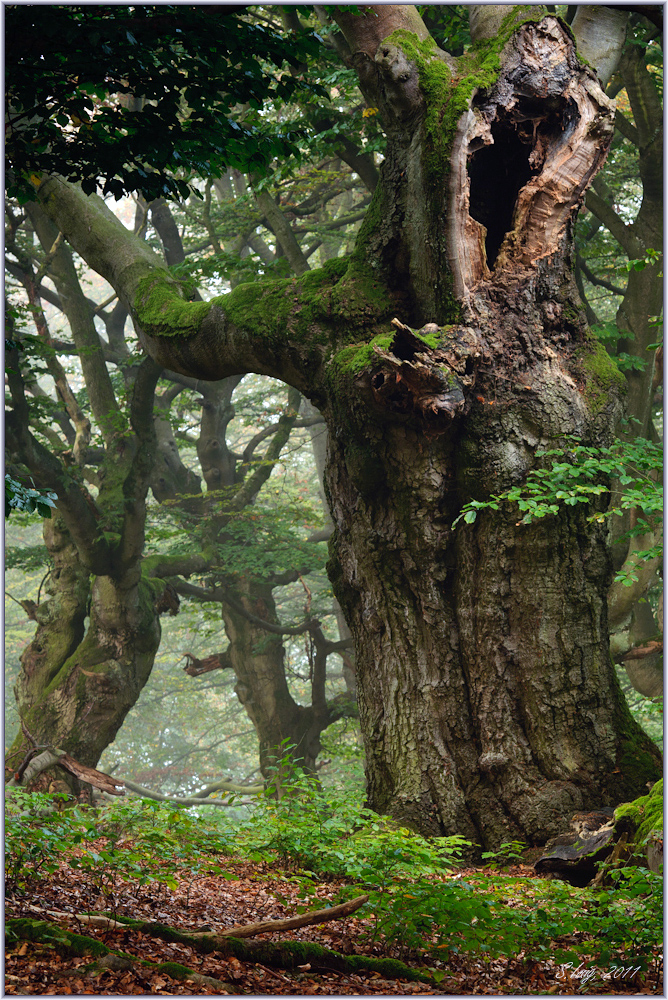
(144, 98)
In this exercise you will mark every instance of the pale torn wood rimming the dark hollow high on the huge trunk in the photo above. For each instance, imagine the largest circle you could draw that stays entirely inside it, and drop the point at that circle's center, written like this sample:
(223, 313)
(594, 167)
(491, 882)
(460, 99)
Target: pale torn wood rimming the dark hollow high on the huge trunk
(554, 147)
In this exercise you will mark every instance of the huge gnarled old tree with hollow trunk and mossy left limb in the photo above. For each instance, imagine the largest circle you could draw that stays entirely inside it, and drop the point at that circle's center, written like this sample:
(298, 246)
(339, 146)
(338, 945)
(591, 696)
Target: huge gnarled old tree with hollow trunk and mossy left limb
(488, 703)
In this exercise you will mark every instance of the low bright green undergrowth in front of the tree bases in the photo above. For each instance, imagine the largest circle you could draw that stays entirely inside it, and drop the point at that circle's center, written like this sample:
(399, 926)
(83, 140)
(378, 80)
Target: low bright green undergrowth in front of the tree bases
(423, 904)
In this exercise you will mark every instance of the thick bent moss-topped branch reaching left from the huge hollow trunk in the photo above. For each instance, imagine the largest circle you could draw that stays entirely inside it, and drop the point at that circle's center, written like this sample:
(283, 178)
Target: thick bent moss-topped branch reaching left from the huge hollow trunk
(230, 335)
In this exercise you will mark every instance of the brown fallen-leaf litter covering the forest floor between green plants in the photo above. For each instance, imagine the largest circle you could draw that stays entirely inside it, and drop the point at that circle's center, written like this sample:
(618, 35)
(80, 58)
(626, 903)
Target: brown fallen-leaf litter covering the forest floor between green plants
(246, 893)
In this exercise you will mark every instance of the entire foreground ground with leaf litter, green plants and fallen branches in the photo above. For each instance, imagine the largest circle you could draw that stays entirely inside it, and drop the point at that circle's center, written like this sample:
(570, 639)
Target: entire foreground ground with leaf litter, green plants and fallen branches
(432, 924)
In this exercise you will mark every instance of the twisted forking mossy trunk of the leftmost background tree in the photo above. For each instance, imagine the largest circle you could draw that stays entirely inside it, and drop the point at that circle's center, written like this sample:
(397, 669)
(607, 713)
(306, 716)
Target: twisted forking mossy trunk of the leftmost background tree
(75, 689)
